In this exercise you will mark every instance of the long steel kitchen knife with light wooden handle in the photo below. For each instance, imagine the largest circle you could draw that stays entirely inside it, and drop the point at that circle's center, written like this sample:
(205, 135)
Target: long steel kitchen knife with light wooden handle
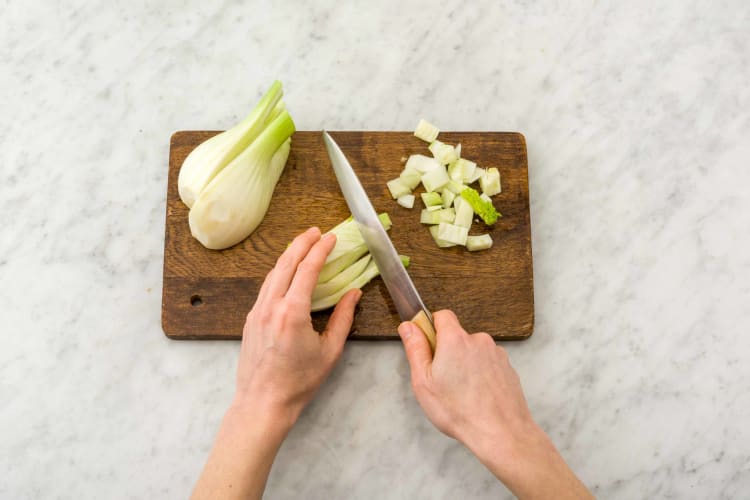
(403, 292)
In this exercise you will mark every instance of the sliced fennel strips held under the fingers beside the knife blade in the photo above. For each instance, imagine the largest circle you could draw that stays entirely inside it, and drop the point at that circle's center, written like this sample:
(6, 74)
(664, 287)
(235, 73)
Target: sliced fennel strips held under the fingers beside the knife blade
(348, 266)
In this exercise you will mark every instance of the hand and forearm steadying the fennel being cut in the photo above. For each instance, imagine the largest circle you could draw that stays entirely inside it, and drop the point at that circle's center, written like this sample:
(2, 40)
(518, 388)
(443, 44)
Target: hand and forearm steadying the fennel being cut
(283, 361)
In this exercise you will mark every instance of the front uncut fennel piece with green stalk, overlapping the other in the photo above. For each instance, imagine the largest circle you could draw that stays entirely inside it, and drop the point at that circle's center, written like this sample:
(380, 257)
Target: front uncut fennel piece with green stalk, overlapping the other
(236, 200)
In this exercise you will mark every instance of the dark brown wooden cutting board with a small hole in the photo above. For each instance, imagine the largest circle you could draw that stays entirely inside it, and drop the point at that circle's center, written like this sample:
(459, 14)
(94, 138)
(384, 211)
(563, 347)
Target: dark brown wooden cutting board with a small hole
(207, 293)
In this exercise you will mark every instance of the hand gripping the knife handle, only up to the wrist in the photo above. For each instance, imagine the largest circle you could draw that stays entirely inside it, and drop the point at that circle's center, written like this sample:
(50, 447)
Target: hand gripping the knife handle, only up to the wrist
(469, 388)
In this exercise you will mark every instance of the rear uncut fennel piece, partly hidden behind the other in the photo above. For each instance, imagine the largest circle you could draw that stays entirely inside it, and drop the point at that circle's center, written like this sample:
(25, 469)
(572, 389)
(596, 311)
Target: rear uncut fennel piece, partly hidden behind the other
(213, 155)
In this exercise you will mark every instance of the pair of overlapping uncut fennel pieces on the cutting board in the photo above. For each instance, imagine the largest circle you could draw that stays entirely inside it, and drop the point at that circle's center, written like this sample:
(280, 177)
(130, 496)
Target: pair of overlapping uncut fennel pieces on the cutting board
(228, 180)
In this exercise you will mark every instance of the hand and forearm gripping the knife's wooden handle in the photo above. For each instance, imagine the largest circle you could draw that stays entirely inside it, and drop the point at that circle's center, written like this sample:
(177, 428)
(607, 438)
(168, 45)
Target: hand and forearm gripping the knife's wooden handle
(470, 392)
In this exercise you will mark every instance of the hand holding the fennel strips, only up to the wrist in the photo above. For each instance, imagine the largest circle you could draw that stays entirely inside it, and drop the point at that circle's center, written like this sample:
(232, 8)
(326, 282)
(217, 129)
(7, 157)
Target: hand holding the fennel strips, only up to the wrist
(283, 360)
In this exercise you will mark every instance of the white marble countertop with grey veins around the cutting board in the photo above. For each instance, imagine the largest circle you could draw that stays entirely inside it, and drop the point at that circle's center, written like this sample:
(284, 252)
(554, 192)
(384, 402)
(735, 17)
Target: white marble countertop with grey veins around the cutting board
(637, 119)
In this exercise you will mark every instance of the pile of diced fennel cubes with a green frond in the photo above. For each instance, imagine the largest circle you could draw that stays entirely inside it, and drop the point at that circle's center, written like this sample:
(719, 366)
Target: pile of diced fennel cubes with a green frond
(450, 203)
